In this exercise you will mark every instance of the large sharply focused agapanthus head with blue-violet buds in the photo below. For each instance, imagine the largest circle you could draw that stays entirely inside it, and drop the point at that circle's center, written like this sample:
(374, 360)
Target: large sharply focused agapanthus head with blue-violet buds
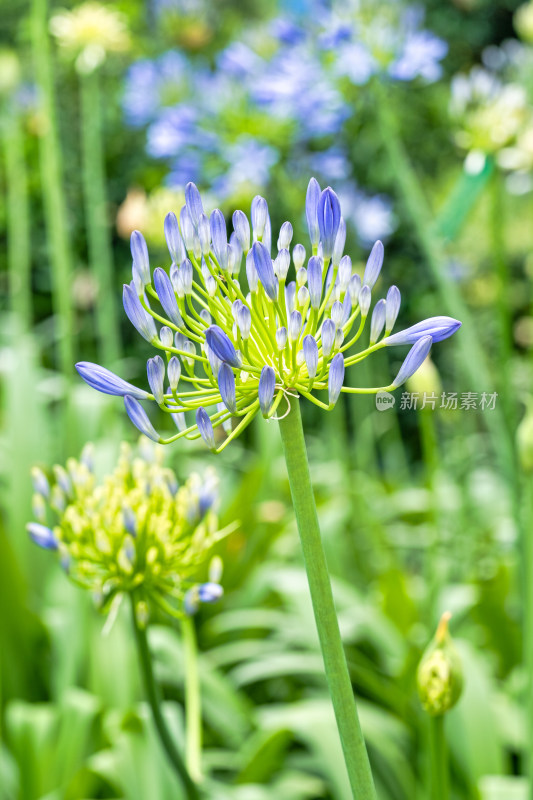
(228, 351)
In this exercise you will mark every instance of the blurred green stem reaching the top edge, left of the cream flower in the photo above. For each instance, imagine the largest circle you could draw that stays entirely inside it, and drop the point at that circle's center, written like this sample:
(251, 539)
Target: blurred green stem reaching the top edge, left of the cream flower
(52, 190)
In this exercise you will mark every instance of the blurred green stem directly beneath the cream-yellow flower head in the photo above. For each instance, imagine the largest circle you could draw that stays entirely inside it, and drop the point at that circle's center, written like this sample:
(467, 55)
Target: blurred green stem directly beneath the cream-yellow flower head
(100, 253)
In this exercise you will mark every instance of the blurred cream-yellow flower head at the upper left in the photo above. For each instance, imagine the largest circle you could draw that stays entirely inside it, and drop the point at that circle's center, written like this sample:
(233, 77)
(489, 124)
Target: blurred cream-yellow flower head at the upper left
(91, 31)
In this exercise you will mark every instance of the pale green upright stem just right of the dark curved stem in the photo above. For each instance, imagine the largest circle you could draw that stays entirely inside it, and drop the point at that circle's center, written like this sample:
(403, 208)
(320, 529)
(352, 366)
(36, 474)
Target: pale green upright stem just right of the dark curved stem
(193, 707)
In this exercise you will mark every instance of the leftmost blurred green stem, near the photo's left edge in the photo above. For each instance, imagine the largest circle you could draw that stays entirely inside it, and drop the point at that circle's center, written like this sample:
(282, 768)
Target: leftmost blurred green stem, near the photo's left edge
(18, 217)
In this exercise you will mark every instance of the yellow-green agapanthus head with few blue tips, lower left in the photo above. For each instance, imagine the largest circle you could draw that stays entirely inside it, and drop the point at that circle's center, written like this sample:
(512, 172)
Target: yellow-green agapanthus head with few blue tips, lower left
(136, 531)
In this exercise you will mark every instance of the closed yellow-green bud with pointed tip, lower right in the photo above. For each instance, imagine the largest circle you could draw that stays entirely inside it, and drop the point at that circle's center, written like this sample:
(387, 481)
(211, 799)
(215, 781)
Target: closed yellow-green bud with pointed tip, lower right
(439, 676)
